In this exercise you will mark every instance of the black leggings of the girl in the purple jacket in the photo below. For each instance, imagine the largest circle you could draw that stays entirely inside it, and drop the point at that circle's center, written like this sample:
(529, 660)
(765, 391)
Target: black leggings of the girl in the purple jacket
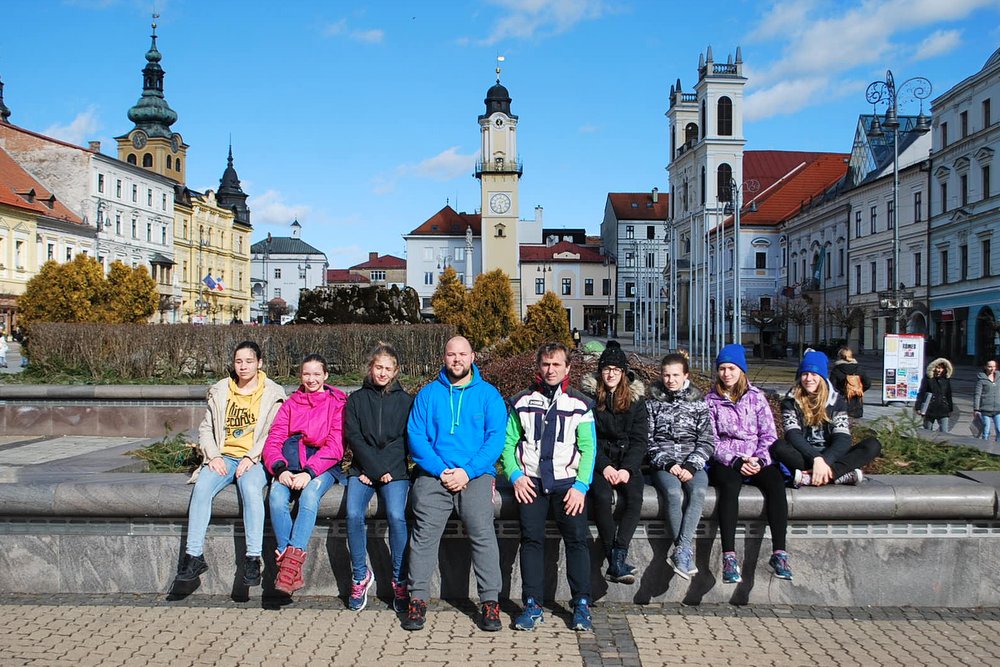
(728, 482)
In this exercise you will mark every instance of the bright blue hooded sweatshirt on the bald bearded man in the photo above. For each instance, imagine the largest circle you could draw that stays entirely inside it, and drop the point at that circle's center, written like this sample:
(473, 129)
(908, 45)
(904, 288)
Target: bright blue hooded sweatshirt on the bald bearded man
(458, 427)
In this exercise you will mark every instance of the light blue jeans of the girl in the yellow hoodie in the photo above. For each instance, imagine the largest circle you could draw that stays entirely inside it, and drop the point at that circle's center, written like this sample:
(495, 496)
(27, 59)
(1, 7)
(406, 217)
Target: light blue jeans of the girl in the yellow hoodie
(251, 491)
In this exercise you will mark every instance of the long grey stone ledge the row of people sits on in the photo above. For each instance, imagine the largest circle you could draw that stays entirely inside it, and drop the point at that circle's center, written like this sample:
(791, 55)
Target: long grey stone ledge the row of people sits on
(924, 541)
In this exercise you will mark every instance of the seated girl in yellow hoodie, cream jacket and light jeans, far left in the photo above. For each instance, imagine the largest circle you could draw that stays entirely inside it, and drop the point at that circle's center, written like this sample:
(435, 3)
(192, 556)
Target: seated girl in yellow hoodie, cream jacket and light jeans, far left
(241, 409)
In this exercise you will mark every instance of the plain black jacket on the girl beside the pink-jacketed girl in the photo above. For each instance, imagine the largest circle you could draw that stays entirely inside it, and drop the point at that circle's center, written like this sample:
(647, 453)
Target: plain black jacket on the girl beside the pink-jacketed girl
(375, 430)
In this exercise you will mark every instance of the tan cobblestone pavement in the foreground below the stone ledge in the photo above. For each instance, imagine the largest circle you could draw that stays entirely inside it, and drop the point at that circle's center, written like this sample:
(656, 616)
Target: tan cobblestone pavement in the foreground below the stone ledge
(141, 630)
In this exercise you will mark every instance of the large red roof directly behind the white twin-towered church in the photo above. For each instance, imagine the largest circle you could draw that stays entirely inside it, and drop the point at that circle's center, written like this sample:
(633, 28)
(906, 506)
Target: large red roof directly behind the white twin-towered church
(788, 179)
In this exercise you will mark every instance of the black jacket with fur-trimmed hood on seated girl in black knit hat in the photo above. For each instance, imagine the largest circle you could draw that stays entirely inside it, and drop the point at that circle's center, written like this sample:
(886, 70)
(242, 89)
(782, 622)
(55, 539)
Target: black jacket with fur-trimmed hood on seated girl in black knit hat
(621, 436)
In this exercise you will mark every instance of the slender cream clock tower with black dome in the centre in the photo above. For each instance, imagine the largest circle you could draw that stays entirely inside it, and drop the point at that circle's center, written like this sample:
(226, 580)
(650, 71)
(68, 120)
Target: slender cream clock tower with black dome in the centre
(499, 172)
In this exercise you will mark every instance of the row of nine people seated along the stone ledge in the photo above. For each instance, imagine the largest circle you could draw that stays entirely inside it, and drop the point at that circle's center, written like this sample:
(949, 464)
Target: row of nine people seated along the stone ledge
(567, 453)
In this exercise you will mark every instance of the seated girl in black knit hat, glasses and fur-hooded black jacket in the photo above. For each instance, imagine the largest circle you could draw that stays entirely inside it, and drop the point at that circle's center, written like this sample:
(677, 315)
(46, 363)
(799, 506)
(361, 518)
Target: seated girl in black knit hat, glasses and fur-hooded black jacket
(620, 419)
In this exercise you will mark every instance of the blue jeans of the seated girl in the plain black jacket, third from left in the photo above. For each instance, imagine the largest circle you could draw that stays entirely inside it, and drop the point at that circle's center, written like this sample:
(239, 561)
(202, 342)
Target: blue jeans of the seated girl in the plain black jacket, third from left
(393, 498)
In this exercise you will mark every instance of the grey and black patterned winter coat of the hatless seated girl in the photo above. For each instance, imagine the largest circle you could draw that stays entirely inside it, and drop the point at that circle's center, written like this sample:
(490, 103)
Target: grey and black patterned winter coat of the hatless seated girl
(680, 428)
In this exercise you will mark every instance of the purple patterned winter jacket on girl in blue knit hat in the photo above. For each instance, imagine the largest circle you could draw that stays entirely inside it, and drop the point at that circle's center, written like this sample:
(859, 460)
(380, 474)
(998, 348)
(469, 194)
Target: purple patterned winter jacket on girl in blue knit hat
(745, 428)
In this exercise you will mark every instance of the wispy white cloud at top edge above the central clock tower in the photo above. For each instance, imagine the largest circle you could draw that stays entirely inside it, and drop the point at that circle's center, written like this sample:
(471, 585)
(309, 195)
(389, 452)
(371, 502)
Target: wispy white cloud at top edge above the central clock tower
(524, 19)
